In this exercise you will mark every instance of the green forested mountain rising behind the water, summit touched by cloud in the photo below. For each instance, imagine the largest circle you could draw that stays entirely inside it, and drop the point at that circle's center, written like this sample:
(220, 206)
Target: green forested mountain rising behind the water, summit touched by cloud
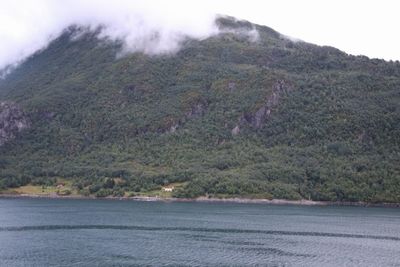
(230, 115)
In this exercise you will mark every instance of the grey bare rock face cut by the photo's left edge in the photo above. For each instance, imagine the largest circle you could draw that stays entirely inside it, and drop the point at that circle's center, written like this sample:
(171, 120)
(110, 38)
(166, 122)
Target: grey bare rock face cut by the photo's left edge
(12, 121)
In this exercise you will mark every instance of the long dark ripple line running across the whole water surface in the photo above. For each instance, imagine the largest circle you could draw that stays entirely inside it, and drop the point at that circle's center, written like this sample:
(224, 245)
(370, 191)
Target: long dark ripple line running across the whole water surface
(190, 229)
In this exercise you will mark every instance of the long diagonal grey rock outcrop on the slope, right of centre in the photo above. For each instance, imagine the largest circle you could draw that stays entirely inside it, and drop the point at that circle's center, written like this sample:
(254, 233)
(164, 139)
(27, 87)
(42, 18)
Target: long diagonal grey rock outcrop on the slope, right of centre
(258, 118)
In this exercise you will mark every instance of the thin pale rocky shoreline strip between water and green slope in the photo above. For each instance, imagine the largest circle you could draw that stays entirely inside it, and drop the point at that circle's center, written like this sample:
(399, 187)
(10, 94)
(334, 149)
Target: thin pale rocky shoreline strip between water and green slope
(302, 202)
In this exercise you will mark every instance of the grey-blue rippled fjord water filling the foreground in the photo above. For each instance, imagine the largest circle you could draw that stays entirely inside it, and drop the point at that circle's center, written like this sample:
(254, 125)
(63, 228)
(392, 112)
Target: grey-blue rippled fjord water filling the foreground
(59, 232)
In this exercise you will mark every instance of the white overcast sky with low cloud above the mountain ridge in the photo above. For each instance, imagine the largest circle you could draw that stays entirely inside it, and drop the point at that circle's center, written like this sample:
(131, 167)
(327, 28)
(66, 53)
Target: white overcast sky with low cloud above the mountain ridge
(355, 26)
